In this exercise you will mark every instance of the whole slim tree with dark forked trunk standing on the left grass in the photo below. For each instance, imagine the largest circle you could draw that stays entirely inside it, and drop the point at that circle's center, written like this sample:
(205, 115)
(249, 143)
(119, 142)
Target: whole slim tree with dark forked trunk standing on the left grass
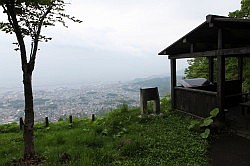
(26, 19)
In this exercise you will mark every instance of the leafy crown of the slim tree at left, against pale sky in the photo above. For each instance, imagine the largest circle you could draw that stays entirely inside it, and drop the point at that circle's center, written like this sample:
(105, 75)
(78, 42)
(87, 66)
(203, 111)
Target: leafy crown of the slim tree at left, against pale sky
(32, 15)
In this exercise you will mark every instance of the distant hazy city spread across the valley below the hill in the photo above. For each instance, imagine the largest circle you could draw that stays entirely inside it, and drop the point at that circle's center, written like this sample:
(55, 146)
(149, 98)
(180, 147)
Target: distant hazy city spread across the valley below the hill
(61, 102)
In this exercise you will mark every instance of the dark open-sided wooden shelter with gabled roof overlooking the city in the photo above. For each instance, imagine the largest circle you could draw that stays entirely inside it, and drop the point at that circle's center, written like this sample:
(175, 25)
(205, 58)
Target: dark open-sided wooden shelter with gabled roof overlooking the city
(217, 38)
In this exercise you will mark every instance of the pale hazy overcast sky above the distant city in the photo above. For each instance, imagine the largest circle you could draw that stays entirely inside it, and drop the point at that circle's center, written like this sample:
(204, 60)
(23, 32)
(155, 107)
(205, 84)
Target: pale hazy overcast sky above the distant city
(118, 40)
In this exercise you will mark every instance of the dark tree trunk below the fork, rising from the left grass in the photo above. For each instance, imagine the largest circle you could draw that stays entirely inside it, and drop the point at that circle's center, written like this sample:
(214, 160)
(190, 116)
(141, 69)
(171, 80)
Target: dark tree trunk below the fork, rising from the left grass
(28, 135)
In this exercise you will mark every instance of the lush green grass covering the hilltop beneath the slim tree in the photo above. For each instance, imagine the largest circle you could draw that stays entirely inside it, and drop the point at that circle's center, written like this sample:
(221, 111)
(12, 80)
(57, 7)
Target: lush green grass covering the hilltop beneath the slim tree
(122, 137)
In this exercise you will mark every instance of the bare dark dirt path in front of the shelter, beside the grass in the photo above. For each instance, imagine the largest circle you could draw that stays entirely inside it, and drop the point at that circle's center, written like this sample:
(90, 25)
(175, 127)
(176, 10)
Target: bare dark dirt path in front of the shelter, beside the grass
(229, 150)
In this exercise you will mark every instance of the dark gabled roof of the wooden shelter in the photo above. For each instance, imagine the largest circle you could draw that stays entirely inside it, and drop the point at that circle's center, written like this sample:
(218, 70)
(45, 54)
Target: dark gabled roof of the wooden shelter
(236, 34)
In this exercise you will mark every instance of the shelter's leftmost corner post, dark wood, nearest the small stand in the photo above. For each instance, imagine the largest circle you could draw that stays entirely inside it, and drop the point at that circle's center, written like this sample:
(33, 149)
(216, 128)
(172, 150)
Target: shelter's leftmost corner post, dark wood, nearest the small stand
(173, 81)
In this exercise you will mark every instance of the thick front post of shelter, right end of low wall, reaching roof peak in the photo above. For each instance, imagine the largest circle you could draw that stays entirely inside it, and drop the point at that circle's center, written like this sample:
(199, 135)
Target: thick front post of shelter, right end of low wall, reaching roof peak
(220, 77)
